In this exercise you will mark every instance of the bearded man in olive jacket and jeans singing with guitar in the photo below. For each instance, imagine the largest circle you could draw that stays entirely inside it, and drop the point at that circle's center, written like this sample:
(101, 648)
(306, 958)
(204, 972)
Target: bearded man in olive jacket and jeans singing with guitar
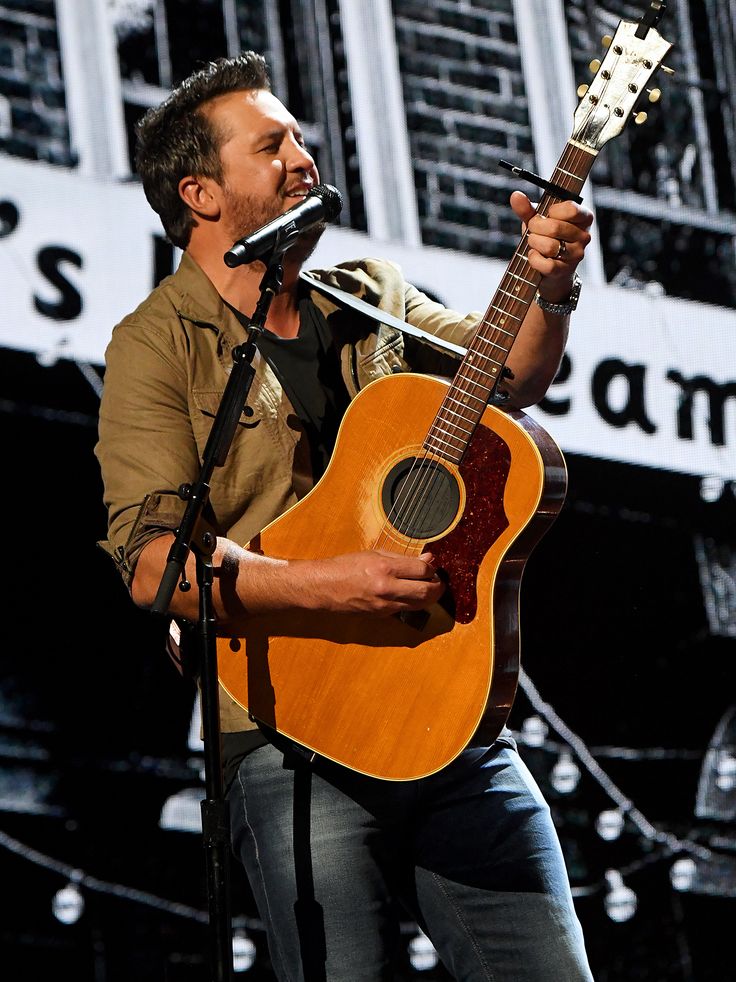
(329, 853)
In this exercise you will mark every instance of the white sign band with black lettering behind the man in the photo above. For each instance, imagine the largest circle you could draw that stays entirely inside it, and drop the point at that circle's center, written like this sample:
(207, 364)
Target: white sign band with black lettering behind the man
(647, 380)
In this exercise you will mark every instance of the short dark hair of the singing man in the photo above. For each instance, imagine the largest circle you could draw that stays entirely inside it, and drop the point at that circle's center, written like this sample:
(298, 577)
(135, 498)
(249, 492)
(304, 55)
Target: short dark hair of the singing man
(177, 138)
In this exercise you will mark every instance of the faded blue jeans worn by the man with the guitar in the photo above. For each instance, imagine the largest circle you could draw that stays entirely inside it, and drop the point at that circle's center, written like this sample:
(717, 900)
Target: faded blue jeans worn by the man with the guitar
(470, 852)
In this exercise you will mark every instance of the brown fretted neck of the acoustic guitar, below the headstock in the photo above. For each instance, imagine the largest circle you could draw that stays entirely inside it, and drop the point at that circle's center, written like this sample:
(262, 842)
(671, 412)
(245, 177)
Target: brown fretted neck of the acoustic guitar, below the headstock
(482, 368)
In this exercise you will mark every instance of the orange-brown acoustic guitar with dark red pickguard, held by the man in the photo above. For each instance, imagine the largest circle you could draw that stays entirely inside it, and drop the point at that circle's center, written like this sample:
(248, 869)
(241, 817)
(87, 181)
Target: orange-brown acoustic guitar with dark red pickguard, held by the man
(423, 463)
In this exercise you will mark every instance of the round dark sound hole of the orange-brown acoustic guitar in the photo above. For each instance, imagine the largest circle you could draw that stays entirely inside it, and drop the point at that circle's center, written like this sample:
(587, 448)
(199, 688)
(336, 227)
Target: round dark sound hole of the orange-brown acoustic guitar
(420, 498)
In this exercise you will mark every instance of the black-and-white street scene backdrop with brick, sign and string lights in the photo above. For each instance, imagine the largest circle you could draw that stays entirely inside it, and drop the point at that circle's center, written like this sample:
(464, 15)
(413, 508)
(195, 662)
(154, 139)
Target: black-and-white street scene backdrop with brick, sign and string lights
(626, 711)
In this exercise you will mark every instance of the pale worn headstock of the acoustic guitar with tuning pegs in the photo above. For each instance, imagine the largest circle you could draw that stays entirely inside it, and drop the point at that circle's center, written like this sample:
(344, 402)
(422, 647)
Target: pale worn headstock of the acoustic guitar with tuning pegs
(634, 54)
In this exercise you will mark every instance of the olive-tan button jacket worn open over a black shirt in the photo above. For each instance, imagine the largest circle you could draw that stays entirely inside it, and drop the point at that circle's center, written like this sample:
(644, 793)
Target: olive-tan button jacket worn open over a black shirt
(166, 368)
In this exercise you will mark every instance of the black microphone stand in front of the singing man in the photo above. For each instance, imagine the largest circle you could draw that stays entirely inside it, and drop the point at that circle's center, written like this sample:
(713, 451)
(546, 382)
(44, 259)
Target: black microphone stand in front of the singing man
(215, 814)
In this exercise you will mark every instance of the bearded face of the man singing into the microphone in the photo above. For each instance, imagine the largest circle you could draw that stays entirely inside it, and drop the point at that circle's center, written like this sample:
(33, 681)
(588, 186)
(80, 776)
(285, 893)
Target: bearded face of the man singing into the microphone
(266, 167)
